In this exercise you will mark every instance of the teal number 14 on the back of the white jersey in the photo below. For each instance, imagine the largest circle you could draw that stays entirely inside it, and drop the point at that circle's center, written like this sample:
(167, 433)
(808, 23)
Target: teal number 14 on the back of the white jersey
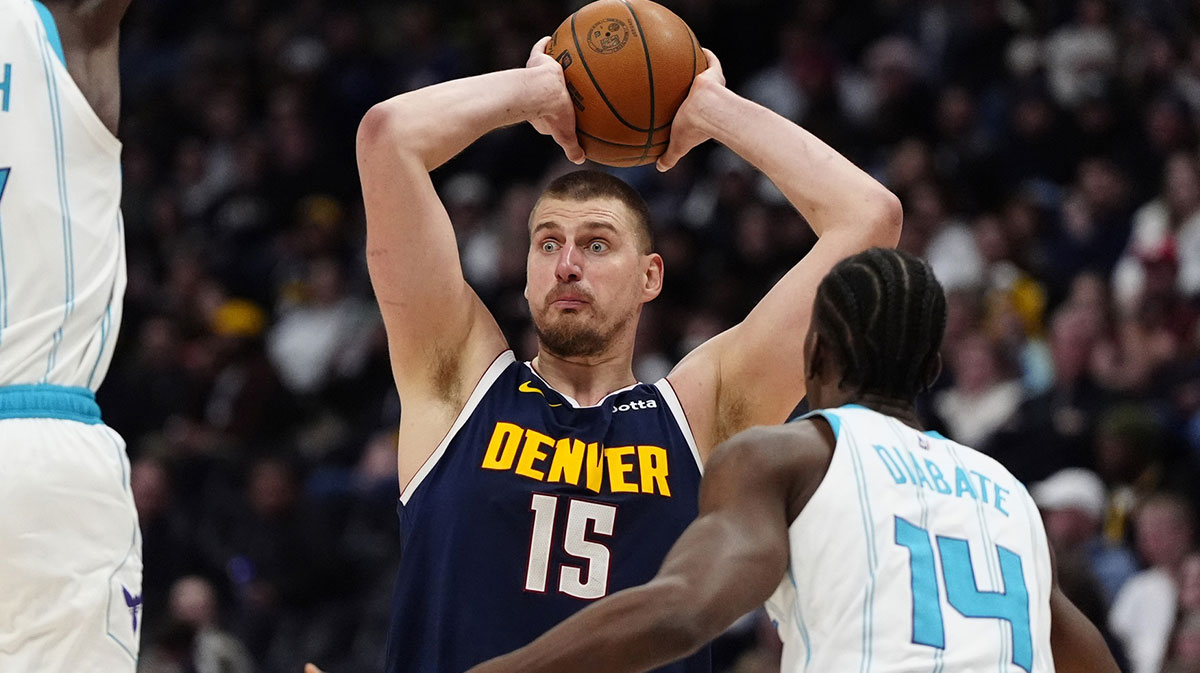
(1012, 605)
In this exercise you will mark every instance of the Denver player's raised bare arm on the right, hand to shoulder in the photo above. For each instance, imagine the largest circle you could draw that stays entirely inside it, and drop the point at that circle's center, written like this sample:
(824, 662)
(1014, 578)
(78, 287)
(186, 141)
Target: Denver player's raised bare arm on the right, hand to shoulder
(753, 374)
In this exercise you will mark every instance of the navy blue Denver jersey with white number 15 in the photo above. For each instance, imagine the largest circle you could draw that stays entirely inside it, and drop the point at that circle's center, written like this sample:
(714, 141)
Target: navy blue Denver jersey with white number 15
(530, 510)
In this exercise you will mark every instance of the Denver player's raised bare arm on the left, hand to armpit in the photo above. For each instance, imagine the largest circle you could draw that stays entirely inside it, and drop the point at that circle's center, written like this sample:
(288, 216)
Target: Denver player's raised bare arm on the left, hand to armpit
(440, 333)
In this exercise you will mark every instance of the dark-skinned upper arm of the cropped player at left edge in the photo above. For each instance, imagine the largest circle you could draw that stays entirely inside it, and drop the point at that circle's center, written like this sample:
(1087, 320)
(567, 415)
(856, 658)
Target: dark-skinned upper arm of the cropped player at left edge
(89, 32)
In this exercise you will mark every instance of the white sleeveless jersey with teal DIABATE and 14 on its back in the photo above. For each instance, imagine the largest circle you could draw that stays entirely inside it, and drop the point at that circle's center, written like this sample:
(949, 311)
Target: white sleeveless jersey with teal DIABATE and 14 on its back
(915, 554)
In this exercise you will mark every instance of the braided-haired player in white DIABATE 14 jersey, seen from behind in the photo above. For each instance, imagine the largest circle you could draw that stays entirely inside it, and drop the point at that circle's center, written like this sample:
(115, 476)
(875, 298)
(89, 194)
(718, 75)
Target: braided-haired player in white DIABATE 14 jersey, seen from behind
(880, 546)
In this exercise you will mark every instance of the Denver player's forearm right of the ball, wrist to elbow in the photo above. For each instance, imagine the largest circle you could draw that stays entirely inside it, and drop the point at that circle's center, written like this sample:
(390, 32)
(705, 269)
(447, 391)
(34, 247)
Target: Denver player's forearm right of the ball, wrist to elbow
(825, 187)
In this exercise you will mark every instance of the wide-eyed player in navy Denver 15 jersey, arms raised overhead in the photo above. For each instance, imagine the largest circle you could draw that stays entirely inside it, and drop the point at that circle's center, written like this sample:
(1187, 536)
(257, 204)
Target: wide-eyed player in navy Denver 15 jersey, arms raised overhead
(532, 489)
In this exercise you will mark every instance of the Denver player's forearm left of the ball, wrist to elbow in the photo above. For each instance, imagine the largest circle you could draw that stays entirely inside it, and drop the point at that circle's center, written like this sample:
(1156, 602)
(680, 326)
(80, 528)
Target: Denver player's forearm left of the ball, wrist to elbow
(436, 123)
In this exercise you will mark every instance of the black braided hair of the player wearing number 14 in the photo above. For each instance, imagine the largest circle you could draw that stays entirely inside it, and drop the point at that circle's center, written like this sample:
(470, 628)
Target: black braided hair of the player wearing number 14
(883, 314)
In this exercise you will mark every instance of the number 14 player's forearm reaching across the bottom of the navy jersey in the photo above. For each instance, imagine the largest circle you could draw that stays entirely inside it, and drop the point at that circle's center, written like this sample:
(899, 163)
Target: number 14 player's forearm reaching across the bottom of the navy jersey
(635, 630)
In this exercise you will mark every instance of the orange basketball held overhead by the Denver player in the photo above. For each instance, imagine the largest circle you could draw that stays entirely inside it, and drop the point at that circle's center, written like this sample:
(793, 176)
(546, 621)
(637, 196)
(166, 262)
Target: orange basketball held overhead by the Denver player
(629, 65)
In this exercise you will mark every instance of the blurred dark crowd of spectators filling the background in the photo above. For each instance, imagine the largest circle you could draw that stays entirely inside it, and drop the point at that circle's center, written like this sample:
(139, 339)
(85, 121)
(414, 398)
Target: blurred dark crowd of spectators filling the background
(1046, 153)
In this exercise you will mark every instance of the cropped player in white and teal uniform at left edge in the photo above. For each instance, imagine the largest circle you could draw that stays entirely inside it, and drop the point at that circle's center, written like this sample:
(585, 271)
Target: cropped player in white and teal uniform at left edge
(70, 549)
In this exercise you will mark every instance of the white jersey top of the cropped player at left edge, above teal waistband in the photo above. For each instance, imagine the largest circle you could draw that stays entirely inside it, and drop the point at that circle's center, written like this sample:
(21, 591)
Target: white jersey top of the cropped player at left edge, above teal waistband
(62, 236)
